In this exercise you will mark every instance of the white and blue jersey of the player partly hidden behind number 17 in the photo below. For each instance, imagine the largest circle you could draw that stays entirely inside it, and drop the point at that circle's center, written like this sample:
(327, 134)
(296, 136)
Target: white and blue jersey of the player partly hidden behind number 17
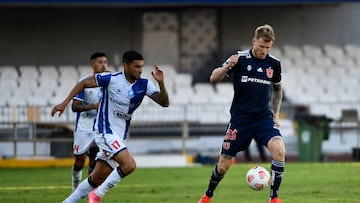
(85, 120)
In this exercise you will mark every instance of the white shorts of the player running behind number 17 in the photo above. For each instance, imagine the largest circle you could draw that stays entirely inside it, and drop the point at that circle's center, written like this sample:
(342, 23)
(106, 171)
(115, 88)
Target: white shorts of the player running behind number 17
(82, 141)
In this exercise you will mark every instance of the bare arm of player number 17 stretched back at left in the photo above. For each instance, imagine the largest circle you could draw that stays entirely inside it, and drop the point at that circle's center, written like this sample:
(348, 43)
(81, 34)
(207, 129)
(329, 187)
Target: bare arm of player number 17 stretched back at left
(86, 83)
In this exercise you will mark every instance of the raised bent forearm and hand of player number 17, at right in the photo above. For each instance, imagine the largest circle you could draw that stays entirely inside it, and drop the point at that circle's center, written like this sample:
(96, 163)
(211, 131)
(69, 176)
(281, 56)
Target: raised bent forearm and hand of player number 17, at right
(161, 97)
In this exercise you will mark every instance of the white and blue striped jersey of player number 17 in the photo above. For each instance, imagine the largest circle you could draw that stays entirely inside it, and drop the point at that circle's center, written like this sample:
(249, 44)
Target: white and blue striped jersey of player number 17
(120, 99)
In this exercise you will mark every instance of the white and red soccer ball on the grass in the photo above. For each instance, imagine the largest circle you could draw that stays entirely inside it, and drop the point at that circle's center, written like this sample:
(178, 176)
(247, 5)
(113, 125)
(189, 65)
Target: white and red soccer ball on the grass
(258, 178)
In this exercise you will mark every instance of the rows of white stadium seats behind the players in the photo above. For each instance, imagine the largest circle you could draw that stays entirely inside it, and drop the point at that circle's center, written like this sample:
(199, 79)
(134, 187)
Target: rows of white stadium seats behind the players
(324, 78)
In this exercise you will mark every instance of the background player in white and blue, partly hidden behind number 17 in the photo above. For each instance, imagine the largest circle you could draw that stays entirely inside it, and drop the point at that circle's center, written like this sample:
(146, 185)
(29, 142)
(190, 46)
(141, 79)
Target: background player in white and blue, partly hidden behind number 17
(85, 104)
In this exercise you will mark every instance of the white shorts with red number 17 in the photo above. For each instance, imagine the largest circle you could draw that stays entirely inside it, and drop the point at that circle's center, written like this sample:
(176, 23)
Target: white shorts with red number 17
(109, 145)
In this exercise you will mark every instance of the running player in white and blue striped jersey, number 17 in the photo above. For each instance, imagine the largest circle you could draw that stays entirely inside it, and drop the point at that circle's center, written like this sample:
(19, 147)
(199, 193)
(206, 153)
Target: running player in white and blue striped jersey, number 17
(123, 92)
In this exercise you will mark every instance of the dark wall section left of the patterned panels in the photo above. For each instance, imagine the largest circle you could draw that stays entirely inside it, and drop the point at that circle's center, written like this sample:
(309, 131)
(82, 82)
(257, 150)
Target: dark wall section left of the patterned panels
(55, 36)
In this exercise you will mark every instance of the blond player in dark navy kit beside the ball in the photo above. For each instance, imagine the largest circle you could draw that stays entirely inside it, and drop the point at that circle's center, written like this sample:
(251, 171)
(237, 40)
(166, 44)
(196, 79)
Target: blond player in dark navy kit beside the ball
(256, 80)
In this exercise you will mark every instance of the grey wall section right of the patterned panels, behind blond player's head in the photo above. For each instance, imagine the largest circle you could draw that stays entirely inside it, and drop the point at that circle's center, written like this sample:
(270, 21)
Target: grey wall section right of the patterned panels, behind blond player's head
(296, 25)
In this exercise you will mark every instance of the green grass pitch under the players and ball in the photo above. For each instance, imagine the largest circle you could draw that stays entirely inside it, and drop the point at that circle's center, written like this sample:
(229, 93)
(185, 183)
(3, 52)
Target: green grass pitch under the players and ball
(302, 183)
